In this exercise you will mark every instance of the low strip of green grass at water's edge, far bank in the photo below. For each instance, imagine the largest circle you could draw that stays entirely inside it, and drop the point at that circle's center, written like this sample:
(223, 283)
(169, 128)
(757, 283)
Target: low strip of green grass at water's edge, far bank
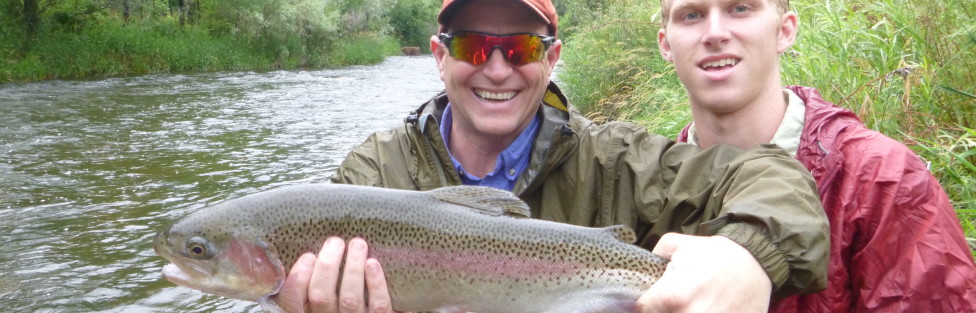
(109, 48)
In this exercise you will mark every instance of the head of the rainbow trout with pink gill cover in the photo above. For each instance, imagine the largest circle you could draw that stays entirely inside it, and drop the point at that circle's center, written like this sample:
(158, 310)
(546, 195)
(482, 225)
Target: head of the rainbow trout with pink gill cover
(219, 262)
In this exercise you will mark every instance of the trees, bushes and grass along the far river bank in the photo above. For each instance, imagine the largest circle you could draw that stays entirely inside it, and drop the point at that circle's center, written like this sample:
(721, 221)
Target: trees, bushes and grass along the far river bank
(90, 38)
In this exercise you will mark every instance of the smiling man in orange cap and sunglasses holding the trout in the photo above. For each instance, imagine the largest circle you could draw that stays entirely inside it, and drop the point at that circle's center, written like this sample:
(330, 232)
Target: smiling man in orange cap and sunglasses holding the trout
(502, 123)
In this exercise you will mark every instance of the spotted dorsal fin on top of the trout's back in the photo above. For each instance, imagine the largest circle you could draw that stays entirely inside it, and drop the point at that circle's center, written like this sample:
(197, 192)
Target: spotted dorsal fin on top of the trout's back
(484, 200)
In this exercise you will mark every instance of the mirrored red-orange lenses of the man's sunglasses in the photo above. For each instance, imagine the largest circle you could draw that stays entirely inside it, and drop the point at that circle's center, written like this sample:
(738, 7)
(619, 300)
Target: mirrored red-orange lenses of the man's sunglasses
(475, 48)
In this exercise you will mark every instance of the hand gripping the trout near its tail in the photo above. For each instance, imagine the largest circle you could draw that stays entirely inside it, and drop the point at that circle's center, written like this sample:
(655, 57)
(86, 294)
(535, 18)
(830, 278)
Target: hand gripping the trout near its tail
(694, 282)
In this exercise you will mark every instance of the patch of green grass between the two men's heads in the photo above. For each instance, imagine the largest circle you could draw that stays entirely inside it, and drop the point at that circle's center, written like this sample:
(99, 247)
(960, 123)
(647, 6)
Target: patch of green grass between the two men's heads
(614, 71)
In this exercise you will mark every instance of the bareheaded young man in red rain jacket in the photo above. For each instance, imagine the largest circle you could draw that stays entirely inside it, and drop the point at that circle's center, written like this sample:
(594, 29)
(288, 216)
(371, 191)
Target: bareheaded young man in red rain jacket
(896, 244)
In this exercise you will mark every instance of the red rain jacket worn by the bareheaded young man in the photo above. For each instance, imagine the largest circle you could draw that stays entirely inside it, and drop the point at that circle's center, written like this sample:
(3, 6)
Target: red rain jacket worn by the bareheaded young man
(896, 244)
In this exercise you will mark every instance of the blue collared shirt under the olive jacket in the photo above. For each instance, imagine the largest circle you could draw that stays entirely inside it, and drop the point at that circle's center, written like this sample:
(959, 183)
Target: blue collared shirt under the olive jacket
(511, 162)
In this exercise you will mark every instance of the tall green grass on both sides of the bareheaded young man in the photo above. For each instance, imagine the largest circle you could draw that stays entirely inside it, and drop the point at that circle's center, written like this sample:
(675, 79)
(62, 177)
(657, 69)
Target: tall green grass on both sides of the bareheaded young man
(905, 67)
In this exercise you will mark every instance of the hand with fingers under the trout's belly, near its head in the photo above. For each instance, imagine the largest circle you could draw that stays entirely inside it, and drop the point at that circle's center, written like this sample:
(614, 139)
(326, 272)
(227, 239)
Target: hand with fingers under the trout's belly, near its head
(310, 286)
